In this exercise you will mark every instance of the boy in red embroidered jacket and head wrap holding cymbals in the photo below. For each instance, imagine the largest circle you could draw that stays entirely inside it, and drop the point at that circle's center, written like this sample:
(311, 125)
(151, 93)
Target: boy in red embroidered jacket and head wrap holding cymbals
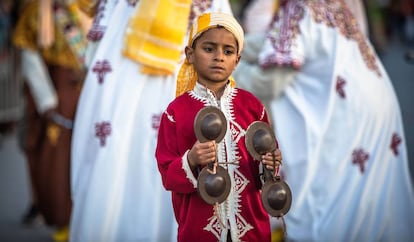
(213, 51)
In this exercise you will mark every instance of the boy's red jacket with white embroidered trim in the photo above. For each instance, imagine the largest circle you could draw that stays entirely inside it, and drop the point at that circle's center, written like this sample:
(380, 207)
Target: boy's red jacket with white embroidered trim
(242, 212)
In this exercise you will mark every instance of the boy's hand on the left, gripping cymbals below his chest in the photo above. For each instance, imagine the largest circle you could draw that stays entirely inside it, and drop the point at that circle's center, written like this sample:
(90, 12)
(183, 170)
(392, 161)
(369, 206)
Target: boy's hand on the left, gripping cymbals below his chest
(202, 153)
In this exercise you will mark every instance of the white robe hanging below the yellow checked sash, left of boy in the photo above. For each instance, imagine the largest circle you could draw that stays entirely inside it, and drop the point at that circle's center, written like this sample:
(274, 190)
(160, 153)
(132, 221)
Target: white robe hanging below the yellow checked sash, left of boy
(116, 187)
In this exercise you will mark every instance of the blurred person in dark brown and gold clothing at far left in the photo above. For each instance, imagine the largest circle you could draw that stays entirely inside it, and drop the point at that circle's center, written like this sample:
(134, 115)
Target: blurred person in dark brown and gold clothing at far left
(50, 35)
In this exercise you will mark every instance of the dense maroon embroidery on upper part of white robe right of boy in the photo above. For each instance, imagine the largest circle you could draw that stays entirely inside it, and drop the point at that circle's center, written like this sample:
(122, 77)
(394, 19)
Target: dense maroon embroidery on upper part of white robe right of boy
(333, 14)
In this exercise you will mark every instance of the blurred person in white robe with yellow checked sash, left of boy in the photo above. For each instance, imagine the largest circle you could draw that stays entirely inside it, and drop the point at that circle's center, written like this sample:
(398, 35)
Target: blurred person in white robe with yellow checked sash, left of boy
(134, 53)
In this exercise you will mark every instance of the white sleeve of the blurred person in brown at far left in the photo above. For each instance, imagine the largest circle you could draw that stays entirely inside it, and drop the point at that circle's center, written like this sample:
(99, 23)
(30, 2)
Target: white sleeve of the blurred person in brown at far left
(39, 81)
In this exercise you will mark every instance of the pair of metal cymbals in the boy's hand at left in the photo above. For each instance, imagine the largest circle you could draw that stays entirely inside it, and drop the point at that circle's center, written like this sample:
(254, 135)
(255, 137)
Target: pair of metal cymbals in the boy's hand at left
(213, 181)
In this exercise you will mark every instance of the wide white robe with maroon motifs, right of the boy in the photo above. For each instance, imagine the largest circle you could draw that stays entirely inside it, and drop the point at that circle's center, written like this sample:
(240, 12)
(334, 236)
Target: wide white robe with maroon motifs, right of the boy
(335, 121)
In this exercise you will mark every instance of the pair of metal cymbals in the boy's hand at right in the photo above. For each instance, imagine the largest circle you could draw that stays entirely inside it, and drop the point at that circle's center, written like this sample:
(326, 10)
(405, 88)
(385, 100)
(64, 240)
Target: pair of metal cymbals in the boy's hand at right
(276, 194)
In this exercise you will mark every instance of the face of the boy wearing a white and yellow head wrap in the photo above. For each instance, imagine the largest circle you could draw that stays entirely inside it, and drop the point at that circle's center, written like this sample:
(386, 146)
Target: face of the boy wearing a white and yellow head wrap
(214, 57)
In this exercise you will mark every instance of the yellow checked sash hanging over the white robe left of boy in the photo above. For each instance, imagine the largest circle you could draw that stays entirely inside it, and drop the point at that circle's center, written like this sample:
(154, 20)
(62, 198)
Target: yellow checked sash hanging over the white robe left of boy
(156, 33)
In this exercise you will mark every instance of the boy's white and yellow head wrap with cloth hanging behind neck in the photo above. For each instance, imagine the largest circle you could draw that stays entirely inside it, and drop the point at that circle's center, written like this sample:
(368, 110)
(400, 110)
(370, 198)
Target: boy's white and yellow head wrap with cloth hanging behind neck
(187, 76)
